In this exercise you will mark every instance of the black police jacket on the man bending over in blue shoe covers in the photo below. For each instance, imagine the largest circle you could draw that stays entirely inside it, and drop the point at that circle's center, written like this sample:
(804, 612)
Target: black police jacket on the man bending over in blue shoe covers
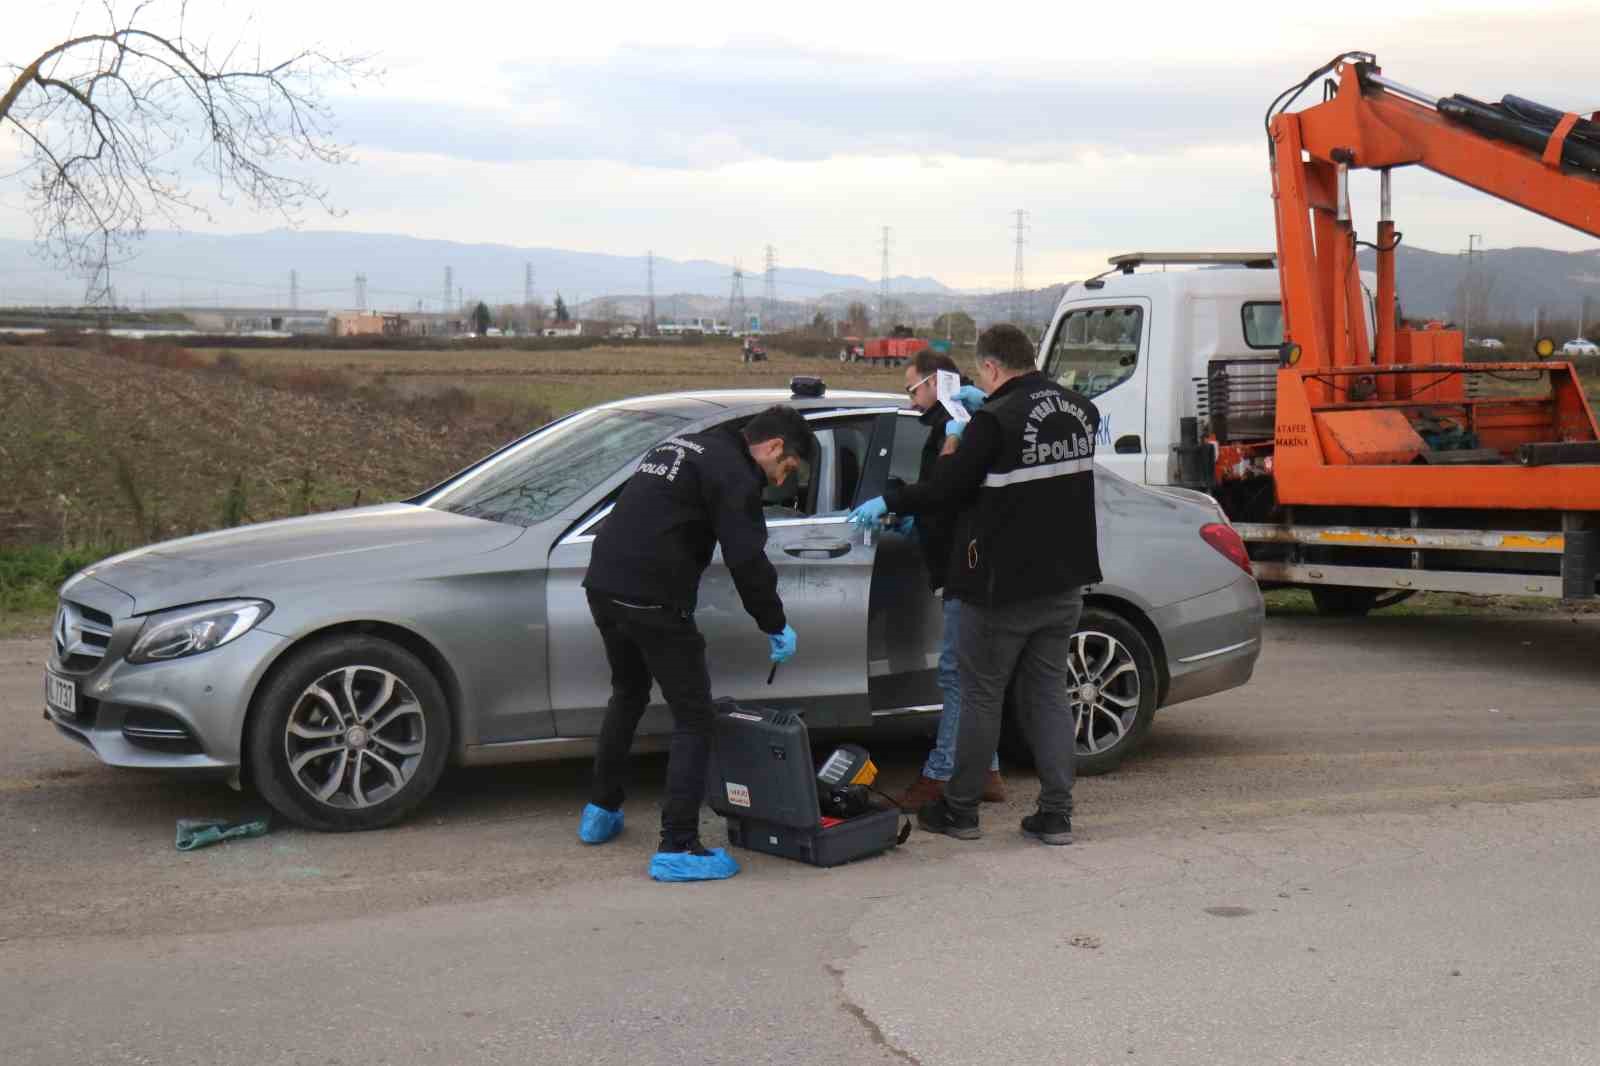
(689, 495)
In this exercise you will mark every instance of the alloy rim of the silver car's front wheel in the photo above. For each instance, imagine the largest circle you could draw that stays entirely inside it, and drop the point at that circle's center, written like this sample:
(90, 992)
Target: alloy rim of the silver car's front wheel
(356, 737)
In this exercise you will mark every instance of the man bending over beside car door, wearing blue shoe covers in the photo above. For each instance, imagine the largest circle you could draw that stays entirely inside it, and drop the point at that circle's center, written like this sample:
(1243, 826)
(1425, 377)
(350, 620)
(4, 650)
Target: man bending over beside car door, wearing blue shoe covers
(687, 497)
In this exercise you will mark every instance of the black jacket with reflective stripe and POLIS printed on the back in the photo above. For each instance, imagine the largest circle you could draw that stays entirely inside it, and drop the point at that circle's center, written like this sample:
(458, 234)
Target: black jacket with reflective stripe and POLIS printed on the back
(1025, 484)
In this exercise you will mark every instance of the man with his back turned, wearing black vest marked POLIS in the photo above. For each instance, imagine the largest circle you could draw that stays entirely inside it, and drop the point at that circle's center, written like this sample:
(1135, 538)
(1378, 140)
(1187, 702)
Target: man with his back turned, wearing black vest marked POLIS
(1025, 550)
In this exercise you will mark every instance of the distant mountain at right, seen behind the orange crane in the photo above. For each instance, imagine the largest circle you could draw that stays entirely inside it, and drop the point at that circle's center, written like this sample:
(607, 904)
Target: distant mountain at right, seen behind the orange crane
(1510, 283)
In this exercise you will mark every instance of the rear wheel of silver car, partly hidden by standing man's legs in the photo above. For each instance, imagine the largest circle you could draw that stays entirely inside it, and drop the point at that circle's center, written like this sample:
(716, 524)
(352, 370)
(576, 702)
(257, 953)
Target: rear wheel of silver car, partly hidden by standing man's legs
(1124, 708)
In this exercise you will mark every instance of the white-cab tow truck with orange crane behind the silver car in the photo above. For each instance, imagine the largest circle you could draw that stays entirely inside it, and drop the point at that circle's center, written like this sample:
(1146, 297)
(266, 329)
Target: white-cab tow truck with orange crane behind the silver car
(1356, 457)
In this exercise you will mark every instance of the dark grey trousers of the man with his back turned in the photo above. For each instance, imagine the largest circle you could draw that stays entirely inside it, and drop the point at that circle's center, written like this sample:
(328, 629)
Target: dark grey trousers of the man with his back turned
(1023, 647)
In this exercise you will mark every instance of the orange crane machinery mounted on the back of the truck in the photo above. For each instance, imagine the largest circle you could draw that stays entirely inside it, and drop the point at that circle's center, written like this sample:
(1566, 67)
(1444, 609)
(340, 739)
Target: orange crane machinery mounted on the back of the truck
(1348, 403)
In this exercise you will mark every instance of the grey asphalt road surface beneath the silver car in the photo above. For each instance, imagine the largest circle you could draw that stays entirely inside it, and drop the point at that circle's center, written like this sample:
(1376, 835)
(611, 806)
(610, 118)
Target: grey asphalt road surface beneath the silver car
(1383, 851)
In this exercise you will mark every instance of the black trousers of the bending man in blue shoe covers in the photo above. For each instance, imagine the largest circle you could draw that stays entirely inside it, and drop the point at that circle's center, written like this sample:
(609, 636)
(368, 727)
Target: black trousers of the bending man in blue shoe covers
(660, 644)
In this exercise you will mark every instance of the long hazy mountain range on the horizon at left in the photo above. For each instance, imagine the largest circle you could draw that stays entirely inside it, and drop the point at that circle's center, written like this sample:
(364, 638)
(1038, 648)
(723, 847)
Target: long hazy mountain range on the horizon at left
(254, 271)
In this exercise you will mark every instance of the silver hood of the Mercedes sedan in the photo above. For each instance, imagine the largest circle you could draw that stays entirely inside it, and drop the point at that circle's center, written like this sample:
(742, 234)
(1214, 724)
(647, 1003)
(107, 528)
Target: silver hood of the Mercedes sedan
(362, 543)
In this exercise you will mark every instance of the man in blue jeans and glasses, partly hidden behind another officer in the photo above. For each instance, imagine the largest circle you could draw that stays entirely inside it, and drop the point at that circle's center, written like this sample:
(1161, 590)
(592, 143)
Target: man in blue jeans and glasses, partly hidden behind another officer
(934, 534)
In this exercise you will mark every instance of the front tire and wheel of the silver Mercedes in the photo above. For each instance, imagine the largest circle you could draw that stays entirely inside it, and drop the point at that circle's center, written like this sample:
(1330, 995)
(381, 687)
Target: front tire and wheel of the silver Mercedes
(348, 734)
